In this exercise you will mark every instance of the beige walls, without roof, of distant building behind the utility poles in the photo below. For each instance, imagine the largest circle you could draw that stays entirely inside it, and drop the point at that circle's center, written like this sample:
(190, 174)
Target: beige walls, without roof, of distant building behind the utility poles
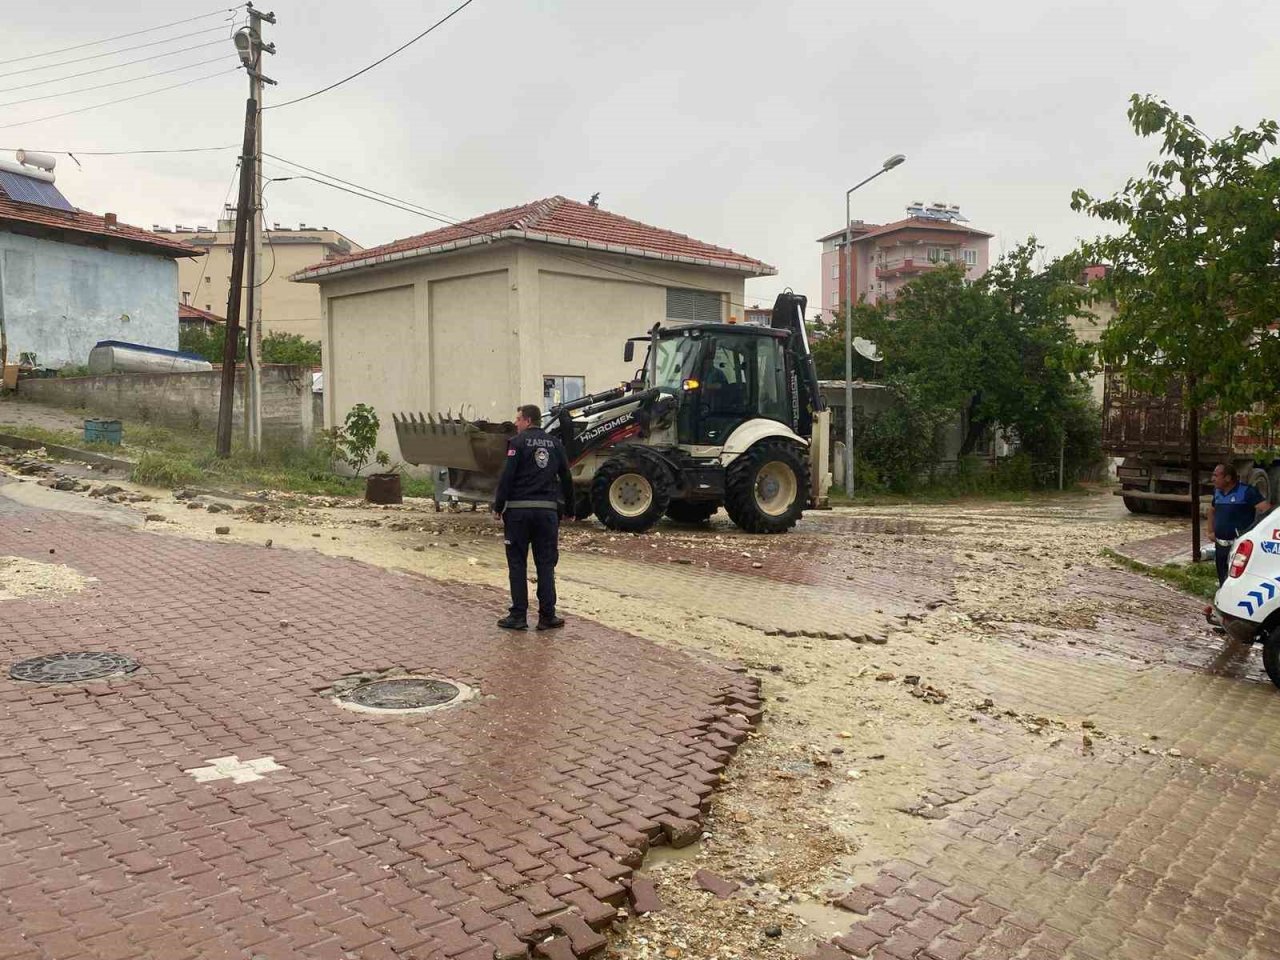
(287, 307)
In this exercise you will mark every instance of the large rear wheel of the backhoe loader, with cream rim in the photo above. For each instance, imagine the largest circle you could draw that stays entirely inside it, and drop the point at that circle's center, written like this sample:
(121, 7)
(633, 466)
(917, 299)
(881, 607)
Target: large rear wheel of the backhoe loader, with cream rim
(767, 487)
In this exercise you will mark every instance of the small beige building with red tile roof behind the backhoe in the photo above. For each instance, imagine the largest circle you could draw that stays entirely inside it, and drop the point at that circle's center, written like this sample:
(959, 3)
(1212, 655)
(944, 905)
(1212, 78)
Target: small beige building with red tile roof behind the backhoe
(528, 305)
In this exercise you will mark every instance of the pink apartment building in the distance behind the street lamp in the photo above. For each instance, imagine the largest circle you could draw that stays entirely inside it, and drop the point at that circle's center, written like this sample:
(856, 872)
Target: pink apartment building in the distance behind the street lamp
(888, 257)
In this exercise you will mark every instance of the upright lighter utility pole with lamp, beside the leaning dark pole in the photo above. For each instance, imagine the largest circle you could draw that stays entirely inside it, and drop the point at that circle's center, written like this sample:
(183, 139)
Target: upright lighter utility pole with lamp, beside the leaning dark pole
(250, 47)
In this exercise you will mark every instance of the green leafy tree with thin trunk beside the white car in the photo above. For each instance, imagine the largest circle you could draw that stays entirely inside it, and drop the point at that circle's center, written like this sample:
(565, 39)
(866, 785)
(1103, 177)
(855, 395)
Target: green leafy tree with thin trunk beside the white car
(1195, 272)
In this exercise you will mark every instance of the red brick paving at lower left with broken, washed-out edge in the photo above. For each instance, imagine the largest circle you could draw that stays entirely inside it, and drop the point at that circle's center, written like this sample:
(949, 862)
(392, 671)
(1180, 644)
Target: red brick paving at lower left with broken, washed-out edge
(506, 828)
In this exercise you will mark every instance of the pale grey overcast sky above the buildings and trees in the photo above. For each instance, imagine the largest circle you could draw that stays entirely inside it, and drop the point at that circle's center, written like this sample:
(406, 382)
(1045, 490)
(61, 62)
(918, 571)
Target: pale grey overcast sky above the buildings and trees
(740, 124)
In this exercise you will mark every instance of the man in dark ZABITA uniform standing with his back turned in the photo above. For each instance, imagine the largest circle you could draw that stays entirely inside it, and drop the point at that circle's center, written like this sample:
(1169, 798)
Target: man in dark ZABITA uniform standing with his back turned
(536, 488)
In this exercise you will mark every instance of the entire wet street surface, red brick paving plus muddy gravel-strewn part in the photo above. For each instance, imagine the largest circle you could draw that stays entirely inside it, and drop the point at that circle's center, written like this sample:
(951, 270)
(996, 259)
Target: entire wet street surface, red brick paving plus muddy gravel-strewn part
(982, 740)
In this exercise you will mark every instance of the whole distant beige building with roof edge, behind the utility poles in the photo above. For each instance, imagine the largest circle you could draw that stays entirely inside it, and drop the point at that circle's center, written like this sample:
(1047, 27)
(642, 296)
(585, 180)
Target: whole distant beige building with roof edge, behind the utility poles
(287, 308)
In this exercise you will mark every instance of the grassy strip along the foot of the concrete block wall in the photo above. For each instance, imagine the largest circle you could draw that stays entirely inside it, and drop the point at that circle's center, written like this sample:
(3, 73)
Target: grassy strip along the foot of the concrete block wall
(168, 459)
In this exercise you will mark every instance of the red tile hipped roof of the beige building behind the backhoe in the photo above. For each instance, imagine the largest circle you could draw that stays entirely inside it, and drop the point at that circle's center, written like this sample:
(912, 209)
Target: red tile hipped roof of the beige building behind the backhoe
(554, 221)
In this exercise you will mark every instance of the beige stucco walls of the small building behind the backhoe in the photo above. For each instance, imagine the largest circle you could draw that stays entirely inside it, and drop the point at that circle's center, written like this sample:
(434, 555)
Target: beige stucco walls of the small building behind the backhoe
(482, 328)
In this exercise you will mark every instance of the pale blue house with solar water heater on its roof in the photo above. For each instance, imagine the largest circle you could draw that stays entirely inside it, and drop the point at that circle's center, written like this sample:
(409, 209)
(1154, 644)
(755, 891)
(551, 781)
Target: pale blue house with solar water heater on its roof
(70, 278)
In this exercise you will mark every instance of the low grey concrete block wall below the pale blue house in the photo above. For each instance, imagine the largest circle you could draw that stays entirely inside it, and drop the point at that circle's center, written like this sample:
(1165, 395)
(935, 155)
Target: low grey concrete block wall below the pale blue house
(186, 401)
